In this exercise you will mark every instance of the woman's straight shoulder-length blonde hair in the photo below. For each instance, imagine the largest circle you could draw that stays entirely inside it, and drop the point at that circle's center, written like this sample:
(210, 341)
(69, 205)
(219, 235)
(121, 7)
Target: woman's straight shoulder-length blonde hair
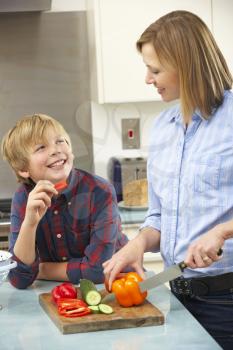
(184, 42)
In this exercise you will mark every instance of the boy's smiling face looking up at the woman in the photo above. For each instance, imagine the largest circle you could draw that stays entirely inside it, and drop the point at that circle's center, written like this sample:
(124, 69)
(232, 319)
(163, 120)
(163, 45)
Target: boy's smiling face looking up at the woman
(52, 159)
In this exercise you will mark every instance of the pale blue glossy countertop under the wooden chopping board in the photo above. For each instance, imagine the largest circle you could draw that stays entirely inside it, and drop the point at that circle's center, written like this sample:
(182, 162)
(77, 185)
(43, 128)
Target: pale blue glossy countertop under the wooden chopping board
(25, 326)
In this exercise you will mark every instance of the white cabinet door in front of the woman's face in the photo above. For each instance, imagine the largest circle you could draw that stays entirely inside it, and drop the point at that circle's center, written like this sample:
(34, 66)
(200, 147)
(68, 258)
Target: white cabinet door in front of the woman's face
(116, 68)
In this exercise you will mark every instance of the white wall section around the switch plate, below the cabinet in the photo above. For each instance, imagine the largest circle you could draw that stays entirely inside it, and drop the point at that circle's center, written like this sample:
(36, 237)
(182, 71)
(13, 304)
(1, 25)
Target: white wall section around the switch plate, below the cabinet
(106, 128)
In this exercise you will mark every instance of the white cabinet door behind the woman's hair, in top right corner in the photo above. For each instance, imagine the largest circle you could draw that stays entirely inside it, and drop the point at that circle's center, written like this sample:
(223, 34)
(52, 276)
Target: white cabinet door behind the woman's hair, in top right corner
(223, 28)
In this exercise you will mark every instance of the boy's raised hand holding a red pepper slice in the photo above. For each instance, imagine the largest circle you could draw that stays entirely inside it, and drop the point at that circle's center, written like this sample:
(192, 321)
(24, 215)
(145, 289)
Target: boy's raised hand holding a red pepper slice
(39, 200)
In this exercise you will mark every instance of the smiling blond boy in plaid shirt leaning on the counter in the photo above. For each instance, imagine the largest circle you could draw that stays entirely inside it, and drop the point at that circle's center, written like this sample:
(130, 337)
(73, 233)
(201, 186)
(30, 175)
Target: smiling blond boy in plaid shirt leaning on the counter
(57, 235)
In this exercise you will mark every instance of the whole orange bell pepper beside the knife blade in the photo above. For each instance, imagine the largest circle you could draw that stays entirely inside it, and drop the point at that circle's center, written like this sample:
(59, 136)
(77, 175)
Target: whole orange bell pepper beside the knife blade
(127, 291)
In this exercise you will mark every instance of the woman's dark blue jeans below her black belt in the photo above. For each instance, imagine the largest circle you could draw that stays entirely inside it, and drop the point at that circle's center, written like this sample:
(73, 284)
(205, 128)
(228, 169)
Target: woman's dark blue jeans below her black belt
(215, 313)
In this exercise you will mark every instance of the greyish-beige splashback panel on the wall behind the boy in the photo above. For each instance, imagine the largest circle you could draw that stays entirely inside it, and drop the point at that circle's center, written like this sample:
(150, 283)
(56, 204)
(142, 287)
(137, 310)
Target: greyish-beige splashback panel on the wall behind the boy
(44, 70)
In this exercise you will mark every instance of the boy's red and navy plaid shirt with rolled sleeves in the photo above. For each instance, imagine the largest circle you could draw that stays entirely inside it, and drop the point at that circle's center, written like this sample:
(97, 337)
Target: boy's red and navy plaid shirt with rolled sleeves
(82, 227)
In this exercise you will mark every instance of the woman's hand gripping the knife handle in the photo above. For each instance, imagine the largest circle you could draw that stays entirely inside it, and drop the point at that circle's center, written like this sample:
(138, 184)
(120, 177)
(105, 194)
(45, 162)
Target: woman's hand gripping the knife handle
(204, 251)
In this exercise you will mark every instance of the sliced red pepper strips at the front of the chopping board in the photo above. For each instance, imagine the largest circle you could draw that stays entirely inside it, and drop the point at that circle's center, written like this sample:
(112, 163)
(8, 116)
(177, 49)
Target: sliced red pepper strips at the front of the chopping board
(72, 308)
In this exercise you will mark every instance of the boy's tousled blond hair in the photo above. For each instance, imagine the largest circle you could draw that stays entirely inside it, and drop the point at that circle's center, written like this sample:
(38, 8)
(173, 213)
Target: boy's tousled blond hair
(19, 141)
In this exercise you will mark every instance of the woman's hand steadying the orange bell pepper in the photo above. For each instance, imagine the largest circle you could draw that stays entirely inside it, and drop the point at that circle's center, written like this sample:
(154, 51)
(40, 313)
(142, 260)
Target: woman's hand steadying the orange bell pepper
(130, 255)
